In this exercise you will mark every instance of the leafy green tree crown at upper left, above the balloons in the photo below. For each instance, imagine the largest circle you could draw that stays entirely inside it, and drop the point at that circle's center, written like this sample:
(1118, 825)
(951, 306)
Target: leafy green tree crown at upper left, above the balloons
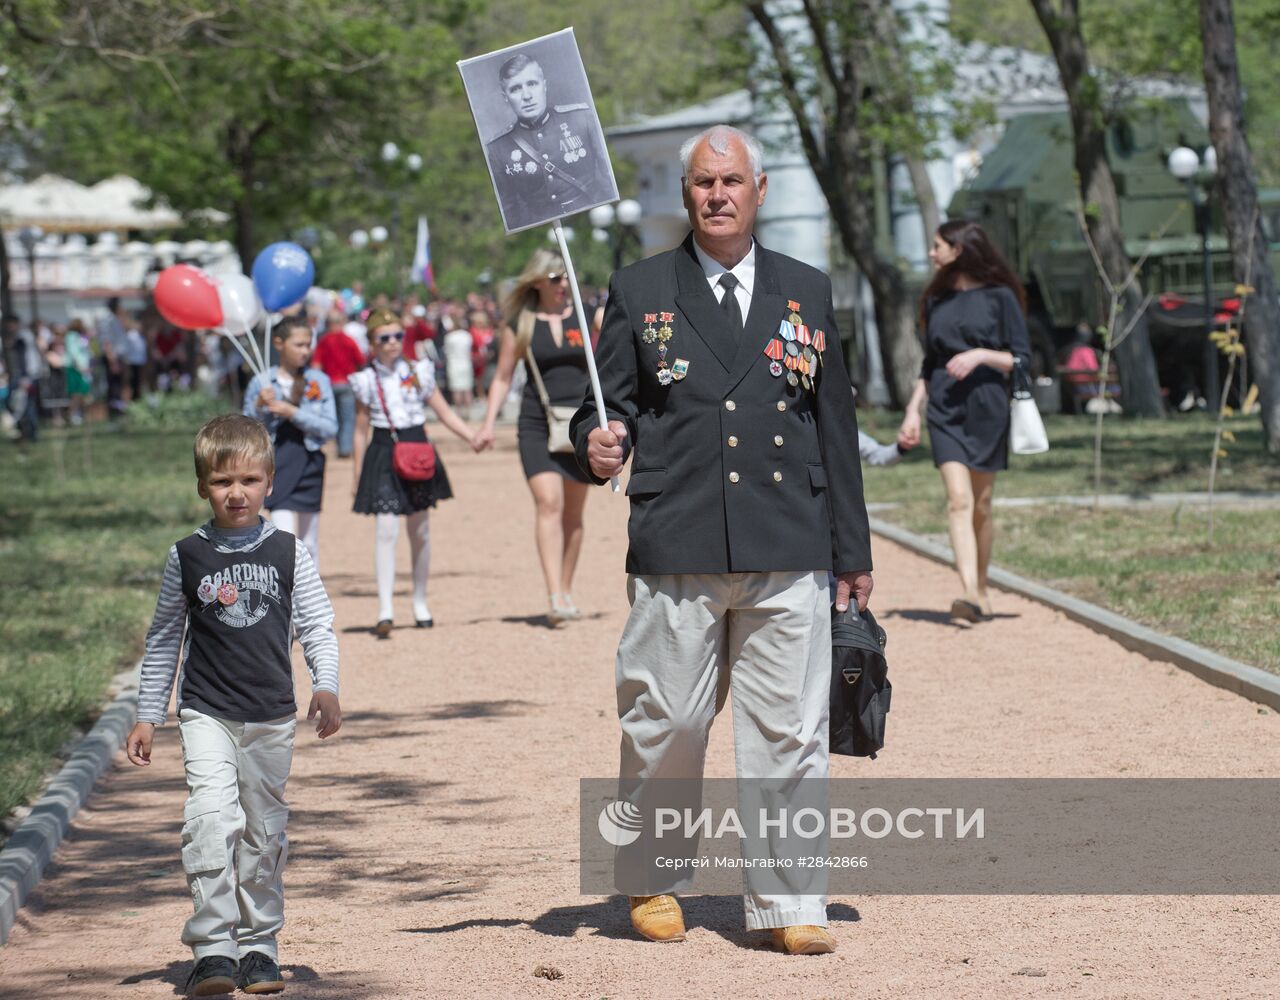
(263, 111)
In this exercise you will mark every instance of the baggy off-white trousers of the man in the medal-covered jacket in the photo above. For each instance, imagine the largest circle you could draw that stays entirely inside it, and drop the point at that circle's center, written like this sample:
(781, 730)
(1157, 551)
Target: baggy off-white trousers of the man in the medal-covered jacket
(696, 640)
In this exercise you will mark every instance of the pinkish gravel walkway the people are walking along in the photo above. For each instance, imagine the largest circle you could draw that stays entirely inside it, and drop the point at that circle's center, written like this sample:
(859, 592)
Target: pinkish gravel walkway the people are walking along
(435, 842)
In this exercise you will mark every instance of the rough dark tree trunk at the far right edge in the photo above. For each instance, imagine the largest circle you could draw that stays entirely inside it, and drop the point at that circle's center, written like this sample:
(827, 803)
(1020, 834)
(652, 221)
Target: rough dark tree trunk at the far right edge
(1240, 195)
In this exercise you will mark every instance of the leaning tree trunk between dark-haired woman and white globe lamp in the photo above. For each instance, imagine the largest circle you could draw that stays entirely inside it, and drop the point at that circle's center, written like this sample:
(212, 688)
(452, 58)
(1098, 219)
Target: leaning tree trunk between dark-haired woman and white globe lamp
(1140, 385)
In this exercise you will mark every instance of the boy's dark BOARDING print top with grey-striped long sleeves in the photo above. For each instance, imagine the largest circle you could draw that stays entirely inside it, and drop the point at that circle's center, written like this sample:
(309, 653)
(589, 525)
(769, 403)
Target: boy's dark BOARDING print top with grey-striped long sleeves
(240, 669)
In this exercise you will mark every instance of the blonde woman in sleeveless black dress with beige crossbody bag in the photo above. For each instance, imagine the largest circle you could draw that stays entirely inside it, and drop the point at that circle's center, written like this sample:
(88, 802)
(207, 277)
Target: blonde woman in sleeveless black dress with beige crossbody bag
(541, 325)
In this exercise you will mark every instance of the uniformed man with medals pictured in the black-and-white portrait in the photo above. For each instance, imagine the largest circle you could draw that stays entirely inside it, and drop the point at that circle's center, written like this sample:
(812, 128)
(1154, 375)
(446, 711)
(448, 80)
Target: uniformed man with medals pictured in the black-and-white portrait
(551, 162)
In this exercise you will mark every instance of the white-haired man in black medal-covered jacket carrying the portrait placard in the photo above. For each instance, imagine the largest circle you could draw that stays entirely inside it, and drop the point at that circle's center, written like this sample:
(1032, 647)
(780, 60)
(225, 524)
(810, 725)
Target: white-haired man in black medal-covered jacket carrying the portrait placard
(725, 385)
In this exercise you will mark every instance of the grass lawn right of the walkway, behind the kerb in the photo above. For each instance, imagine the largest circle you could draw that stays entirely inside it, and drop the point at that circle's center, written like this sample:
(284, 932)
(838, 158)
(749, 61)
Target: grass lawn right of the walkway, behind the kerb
(1154, 567)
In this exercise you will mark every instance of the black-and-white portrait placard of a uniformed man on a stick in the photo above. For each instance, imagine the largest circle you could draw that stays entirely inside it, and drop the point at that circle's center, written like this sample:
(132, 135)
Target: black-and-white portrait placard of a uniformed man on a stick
(543, 140)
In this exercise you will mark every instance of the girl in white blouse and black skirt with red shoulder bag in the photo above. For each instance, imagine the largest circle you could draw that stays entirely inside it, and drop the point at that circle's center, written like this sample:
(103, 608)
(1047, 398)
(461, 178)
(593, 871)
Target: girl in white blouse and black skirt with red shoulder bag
(406, 391)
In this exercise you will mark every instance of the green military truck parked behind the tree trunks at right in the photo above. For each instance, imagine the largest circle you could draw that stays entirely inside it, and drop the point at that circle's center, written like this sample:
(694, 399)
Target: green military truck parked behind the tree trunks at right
(1026, 199)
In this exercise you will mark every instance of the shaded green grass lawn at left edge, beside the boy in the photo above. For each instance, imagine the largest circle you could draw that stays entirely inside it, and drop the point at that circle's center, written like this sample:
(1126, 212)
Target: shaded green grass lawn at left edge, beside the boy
(84, 536)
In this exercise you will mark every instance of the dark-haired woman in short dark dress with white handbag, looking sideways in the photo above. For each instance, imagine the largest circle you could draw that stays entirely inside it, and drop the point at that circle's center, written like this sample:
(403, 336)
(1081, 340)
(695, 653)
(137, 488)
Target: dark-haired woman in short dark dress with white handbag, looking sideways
(976, 332)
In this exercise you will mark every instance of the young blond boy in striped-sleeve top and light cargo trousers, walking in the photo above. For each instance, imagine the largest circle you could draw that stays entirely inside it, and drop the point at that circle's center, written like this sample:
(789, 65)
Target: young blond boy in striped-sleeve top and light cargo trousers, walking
(240, 591)
